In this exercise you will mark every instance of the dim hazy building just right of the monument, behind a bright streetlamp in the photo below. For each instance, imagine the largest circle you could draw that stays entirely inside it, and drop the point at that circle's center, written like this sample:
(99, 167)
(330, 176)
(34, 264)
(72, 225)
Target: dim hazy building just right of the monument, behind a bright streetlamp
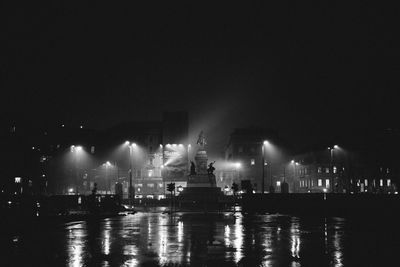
(245, 151)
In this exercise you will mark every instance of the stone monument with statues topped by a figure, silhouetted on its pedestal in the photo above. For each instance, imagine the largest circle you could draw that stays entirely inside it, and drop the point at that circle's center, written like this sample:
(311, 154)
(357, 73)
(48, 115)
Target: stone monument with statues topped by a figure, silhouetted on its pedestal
(201, 190)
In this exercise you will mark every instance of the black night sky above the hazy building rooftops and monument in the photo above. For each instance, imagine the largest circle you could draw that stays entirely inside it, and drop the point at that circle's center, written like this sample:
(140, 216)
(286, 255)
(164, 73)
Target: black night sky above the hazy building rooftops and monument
(309, 70)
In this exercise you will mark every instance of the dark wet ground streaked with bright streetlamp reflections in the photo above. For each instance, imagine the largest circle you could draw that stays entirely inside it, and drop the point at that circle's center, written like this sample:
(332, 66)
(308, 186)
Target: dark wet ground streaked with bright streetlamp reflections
(198, 239)
